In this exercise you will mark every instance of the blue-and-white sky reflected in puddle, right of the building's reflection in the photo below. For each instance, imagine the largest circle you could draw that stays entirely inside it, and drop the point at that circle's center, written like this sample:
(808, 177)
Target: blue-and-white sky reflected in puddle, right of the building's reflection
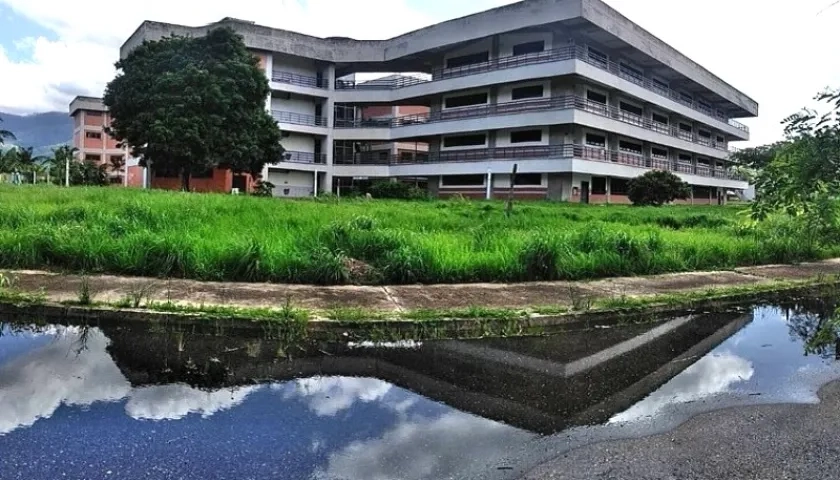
(761, 361)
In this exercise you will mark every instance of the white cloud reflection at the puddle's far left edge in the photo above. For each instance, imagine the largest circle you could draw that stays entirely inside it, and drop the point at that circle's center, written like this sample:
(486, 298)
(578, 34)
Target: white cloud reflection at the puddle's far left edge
(35, 384)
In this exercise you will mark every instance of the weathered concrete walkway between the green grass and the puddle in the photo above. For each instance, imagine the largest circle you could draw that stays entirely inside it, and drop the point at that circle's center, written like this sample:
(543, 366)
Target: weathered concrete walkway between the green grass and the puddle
(105, 288)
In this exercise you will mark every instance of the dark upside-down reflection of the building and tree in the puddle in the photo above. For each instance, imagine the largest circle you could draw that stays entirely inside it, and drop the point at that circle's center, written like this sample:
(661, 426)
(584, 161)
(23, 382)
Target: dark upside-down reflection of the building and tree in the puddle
(542, 384)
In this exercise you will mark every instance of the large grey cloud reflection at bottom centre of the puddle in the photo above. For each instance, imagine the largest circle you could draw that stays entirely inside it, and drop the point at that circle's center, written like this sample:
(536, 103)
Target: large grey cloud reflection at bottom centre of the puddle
(424, 448)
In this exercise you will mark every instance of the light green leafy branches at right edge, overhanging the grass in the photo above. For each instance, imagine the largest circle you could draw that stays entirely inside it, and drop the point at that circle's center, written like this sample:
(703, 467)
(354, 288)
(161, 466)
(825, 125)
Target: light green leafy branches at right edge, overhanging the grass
(800, 177)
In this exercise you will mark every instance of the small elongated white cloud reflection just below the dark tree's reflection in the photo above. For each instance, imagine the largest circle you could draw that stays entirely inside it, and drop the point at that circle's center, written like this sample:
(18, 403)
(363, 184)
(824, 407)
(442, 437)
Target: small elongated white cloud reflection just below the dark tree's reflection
(174, 401)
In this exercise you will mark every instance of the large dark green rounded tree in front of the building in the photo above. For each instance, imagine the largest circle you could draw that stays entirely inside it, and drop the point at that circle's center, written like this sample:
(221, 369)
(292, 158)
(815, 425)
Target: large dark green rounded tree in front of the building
(190, 104)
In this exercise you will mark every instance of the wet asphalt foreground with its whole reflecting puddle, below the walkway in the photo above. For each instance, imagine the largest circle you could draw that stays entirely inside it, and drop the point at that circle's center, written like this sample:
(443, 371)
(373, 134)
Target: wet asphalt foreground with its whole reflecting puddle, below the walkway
(607, 402)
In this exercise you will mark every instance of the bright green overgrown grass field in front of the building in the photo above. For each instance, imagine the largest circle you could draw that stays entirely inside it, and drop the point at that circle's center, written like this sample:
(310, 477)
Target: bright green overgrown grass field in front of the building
(222, 237)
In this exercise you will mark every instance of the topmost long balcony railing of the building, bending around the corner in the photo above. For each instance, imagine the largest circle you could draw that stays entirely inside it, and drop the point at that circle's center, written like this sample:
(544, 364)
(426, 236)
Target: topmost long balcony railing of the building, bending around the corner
(566, 53)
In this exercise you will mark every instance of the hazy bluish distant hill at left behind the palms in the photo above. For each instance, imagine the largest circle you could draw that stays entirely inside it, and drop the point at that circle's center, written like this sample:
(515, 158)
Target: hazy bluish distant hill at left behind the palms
(42, 131)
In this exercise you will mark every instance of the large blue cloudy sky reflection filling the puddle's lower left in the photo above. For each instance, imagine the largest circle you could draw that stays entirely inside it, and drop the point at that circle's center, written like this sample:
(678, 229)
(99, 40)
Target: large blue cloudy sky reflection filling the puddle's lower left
(332, 427)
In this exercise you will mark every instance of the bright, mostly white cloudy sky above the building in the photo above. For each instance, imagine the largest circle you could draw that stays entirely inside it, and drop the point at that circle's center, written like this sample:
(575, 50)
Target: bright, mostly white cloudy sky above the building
(779, 53)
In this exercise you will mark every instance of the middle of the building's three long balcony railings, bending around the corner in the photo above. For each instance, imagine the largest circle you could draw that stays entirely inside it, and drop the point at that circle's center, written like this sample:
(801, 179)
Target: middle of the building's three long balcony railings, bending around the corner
(538, 104)
